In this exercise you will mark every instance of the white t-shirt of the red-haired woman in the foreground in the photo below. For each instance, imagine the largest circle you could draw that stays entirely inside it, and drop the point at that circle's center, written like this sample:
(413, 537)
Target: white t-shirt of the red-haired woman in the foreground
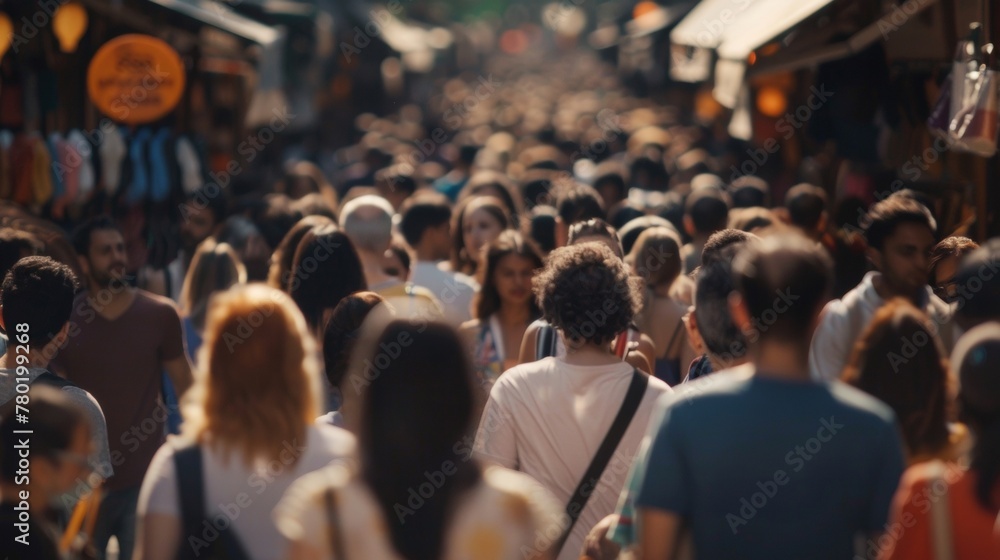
(245, 495)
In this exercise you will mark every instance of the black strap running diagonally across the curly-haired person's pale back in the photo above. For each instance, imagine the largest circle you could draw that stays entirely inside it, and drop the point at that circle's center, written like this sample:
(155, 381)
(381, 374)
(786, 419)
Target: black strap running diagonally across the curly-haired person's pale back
(633, 397)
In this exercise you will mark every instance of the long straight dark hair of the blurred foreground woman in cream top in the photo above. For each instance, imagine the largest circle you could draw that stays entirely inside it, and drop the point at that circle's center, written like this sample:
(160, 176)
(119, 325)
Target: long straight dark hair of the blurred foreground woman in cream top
(413, 412)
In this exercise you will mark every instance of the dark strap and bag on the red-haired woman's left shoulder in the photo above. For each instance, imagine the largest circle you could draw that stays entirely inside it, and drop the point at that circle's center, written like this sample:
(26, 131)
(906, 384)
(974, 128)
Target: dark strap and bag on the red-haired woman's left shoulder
(191, 491)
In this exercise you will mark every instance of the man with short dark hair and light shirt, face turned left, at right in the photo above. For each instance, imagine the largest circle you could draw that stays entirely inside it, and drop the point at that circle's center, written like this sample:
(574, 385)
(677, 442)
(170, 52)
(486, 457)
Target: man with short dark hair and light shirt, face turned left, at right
(900, 235)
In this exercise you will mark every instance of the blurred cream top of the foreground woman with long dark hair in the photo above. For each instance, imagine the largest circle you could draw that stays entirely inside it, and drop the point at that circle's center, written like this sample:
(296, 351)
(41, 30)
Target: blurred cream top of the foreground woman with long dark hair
(503, 516)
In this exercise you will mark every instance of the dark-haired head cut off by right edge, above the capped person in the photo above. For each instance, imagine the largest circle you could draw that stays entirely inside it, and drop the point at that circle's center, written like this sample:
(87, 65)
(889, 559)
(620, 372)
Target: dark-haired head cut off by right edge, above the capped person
(978, 286)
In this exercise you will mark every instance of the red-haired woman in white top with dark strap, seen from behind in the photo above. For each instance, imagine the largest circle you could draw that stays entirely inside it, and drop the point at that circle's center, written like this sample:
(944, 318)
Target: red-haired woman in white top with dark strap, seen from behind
(249, 424)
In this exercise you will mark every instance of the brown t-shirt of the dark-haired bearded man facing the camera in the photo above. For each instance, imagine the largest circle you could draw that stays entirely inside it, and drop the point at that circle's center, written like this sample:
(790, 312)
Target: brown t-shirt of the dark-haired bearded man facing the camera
(120, 363)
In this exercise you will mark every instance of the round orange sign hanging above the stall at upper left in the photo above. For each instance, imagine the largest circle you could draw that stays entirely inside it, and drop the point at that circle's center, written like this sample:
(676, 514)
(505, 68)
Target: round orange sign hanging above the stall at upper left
(135, 79)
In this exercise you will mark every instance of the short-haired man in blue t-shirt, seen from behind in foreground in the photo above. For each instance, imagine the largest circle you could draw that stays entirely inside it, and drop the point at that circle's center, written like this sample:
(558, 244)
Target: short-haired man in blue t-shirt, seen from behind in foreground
(771, 465)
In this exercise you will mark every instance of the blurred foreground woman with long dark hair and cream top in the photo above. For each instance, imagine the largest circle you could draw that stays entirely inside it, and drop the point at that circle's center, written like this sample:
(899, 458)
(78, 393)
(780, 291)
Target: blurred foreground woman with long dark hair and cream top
(417, 493)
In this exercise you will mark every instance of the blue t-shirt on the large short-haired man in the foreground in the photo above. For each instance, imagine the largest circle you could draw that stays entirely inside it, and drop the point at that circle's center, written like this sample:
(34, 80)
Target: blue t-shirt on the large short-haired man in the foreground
(771, 469)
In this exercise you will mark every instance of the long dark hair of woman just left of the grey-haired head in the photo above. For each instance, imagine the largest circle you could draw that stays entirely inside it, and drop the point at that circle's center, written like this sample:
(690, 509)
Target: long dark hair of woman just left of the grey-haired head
(326, 268)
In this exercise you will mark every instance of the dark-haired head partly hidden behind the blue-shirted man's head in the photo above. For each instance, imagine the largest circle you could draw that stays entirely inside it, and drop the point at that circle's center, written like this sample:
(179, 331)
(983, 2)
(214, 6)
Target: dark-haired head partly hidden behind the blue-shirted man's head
(723, 340)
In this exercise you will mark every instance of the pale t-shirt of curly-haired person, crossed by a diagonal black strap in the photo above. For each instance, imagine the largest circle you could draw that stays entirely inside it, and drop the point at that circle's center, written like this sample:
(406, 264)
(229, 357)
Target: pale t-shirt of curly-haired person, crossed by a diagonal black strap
(547, 419)
